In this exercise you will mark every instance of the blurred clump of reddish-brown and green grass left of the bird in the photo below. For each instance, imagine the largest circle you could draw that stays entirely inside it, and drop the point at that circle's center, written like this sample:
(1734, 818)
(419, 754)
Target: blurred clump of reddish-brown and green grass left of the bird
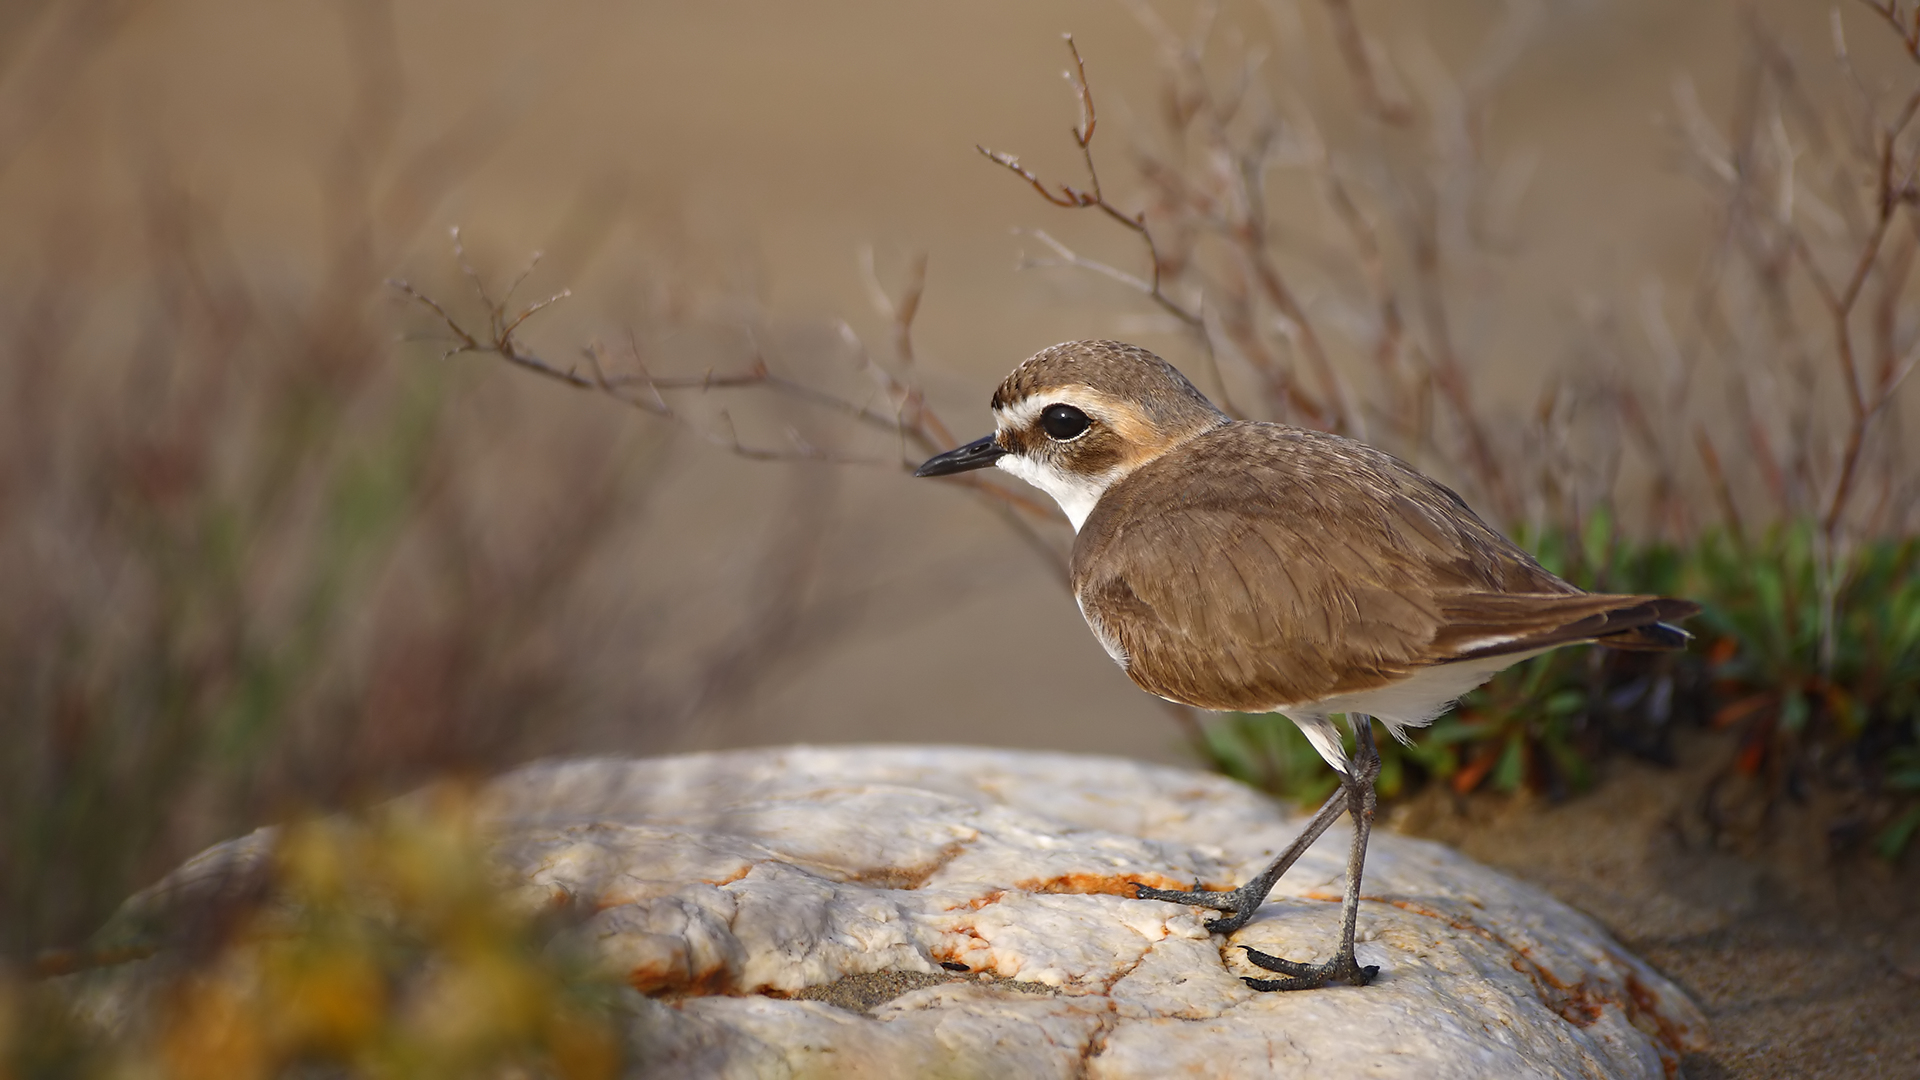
(245, 570)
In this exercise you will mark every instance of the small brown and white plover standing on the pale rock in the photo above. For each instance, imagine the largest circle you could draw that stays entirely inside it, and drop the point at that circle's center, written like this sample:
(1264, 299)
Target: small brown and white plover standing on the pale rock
(1260, 568)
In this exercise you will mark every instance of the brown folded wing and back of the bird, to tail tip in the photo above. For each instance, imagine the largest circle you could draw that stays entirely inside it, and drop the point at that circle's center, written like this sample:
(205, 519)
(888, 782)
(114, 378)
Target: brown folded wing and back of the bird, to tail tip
(1260, 566)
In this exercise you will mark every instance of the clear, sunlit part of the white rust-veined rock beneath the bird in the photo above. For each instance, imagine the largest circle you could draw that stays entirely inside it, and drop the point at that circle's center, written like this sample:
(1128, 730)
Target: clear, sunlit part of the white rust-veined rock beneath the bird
(949, 912)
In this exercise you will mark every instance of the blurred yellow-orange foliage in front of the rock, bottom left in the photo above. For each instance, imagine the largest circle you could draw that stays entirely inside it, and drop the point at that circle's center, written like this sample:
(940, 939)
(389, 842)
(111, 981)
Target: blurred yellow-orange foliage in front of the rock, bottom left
(389, 948)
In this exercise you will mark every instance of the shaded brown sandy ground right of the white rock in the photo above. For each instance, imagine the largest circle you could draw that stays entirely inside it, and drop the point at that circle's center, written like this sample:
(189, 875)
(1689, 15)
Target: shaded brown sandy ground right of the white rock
(1806, 966)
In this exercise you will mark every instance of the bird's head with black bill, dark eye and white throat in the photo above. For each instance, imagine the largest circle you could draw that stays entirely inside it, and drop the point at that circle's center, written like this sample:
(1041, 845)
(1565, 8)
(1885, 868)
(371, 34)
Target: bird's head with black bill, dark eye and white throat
(1080, 416)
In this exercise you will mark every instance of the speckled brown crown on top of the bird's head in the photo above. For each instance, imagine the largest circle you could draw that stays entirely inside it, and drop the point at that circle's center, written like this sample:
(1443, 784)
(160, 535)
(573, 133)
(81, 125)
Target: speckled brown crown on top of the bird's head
(1120, 372)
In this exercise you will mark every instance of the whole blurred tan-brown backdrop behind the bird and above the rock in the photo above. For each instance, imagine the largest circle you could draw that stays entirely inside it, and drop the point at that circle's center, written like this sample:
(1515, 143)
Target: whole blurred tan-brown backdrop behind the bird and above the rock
(258, 558)
